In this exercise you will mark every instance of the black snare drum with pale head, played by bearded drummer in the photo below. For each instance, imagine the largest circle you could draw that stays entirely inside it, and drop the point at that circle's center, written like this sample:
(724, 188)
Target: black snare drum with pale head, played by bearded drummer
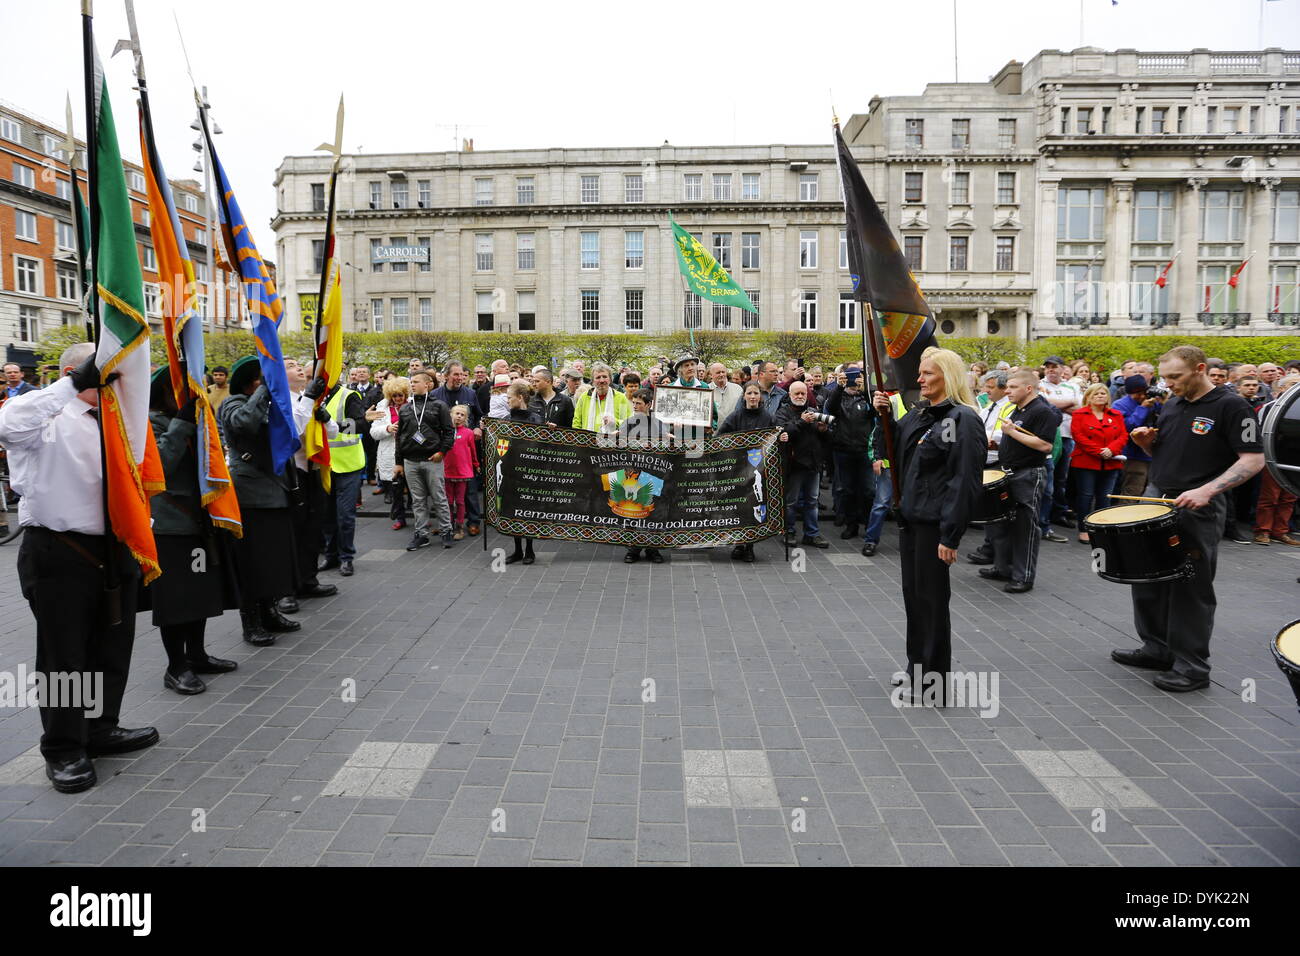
(1139, 544)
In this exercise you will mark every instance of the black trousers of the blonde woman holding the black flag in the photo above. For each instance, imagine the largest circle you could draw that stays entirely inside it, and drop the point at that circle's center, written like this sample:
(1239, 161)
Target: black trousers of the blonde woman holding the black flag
(926, 594)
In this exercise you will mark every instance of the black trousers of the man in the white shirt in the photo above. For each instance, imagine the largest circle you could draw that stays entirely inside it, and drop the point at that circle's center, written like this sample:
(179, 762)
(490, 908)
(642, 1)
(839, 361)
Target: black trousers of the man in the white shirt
(66, 591)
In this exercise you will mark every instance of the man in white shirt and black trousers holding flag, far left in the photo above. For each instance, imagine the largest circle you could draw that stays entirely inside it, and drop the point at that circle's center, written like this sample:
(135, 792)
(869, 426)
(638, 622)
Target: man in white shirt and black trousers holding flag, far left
(53, 439)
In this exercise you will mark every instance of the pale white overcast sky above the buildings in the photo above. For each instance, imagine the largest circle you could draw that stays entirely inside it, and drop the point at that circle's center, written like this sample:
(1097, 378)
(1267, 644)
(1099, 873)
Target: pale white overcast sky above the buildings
(547, 75)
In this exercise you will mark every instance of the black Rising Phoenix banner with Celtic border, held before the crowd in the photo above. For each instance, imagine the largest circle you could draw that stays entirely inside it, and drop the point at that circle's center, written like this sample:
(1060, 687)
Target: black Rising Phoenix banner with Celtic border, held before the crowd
(558, 483)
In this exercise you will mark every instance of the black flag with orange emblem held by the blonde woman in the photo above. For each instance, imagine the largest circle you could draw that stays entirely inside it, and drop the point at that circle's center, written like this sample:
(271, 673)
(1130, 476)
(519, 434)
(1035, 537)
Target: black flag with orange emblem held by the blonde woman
(882, 279)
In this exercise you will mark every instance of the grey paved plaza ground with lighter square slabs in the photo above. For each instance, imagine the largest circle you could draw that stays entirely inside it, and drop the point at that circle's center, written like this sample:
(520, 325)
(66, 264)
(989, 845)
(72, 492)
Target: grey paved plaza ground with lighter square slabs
(701, 712)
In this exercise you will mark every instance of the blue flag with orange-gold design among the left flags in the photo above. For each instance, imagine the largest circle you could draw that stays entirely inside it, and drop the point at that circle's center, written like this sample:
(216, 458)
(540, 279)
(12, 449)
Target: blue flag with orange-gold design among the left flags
(265, 308)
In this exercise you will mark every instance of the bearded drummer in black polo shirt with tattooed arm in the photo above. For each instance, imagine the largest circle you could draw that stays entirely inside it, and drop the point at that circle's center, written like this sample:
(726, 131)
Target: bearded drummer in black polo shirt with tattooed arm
(1206, 442)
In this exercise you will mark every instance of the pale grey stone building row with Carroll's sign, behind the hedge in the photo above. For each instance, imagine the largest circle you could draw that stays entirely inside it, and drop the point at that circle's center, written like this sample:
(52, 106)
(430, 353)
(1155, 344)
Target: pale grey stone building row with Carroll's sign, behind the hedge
(1048, 201)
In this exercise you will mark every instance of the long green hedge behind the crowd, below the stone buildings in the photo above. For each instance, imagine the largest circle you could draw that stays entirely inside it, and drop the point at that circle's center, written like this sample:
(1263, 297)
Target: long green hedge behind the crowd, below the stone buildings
(395, 349)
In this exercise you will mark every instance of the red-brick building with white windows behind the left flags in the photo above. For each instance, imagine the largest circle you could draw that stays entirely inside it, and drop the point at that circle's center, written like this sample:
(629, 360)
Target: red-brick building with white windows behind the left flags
(40, 287)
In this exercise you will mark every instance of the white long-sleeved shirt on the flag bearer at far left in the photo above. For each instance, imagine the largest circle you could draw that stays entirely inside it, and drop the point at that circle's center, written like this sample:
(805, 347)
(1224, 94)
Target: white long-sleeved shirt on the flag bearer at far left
(55, 461)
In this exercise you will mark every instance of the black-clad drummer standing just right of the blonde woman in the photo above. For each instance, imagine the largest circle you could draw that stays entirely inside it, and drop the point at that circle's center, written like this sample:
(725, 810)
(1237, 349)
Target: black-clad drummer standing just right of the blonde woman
(1028, 434)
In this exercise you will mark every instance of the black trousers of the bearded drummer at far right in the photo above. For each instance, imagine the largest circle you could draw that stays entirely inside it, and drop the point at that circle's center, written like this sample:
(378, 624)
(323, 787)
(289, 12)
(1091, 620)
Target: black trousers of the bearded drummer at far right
(1176, 620)
